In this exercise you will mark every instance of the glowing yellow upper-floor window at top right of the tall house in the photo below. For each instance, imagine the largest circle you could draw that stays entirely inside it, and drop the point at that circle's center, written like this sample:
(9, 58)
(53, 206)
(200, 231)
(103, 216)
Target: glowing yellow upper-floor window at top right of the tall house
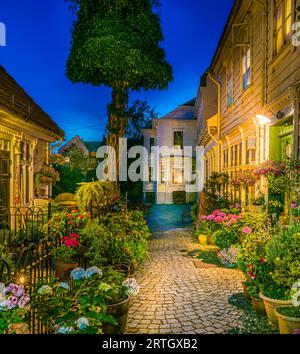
(283, 23)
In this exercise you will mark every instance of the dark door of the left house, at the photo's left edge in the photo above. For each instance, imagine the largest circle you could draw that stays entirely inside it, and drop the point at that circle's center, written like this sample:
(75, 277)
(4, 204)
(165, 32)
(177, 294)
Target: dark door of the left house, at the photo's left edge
(4, 179)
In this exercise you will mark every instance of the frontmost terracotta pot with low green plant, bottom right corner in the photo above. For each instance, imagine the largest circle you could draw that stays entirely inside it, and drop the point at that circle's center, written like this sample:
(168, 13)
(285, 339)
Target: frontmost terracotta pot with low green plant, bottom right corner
(288, 319)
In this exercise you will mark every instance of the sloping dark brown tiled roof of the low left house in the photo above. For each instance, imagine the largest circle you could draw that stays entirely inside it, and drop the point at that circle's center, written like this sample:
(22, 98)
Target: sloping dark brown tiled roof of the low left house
(14, 99)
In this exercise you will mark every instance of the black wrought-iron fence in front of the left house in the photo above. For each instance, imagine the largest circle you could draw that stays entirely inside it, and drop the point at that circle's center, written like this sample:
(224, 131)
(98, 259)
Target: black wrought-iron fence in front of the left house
(29, 258)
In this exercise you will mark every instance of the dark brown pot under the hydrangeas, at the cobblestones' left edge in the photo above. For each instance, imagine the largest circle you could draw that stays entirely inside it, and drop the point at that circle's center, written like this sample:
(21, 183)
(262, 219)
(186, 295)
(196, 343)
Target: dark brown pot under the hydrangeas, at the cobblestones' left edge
(120, 313)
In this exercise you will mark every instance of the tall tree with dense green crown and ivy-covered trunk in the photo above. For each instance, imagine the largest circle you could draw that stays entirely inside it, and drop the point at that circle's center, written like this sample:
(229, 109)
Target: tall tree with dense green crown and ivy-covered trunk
(116, 43)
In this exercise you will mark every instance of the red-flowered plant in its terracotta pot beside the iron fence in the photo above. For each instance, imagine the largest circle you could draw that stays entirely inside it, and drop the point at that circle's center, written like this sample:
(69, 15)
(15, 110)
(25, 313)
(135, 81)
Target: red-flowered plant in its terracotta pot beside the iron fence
(65, 256)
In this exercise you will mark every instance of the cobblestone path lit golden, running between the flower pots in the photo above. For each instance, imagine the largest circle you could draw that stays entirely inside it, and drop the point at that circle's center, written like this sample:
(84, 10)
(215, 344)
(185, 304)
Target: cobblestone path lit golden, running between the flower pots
(177, 297)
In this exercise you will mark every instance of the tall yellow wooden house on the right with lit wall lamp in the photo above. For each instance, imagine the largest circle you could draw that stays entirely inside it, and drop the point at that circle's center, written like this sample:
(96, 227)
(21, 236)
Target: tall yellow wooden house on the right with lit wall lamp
(252, 89)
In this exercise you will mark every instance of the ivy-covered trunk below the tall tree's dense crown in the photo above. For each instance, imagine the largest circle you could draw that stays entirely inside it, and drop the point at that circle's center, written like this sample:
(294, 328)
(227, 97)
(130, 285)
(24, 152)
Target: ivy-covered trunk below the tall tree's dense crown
(117, 122)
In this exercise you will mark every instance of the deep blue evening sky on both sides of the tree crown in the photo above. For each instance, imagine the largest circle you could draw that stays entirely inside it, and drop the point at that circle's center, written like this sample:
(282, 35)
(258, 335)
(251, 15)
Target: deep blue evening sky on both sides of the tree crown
(38, 44)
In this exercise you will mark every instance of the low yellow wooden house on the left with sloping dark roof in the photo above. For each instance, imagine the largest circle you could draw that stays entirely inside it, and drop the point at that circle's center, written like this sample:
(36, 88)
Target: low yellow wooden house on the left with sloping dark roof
(26, 134)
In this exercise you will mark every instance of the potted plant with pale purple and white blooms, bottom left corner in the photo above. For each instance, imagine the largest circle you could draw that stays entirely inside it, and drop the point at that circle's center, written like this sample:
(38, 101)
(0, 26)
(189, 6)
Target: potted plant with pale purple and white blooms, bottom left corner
(14, 309)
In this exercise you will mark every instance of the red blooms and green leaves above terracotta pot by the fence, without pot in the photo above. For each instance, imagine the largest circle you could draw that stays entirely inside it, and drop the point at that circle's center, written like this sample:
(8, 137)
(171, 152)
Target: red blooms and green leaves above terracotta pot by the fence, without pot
(68, 249)
